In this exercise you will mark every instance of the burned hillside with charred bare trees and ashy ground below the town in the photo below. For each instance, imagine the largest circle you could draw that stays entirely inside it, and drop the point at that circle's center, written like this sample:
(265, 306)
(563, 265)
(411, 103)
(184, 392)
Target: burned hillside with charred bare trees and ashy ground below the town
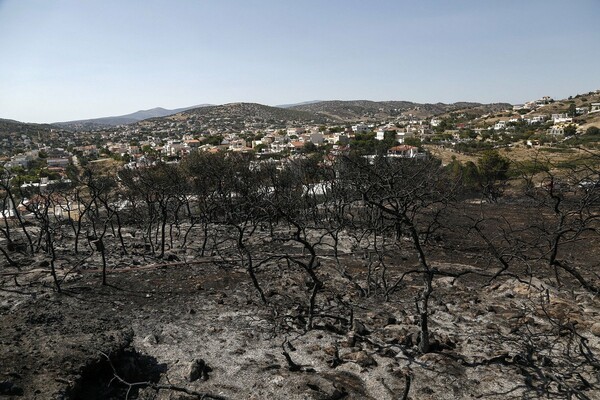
(322, 278)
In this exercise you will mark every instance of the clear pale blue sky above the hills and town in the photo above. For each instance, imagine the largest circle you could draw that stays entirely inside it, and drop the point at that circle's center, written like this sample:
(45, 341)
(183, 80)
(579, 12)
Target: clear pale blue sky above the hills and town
(74, 59)
